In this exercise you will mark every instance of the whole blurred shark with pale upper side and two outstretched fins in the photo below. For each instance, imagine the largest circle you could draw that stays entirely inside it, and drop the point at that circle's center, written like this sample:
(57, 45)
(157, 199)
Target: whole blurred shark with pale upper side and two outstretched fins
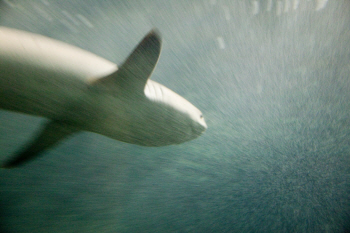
(79, 91)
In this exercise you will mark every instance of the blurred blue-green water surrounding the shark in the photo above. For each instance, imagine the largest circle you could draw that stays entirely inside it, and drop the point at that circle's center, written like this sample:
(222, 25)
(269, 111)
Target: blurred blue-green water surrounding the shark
(272, 80)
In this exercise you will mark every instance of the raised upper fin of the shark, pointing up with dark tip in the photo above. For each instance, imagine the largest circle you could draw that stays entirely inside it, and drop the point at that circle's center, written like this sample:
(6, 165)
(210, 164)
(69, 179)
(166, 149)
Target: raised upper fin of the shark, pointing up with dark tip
(137, 68)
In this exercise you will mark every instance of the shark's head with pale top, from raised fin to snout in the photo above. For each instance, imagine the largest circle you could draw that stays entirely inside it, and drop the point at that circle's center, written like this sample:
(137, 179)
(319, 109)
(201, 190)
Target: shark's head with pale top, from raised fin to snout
(168, 117)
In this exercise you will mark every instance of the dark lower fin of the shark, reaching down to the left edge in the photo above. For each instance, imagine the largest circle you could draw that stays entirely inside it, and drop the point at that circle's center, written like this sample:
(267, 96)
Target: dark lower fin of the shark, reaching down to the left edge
(53, 132)
